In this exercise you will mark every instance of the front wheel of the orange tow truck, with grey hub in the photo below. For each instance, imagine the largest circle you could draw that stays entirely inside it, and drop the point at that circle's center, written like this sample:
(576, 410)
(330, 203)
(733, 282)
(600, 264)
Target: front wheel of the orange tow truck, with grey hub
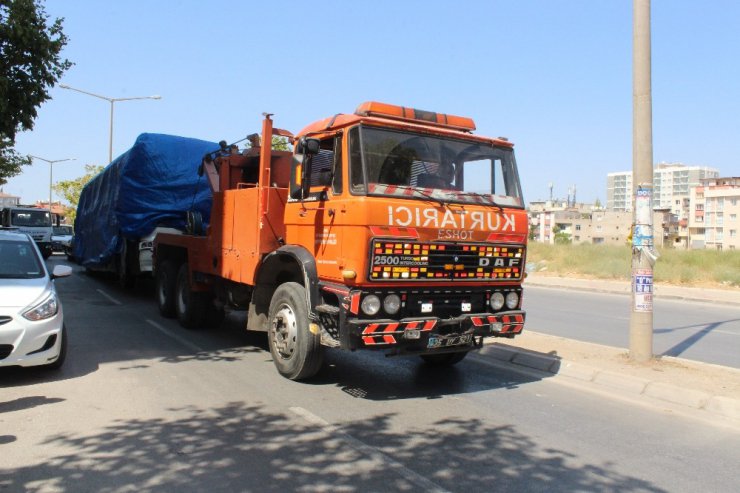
(296, 352)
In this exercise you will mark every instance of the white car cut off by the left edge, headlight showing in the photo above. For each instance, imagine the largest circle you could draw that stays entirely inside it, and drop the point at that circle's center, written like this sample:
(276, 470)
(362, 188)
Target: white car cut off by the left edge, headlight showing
(32, 329)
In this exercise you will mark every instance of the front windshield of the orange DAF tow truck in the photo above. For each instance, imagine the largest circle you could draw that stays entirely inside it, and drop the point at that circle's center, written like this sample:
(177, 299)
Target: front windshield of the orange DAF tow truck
(421, 166)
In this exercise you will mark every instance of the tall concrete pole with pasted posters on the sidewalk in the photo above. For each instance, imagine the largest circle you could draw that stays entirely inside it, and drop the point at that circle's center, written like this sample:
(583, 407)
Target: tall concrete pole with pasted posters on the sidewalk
(641, 320)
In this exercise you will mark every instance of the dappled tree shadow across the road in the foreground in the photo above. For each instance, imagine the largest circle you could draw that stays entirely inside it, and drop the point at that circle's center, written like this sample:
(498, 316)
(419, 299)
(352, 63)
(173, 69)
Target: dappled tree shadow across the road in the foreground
(238, 447)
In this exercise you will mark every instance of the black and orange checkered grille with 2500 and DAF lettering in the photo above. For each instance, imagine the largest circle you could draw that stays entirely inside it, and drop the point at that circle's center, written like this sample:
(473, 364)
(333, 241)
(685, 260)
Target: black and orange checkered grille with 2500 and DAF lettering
(421, 261)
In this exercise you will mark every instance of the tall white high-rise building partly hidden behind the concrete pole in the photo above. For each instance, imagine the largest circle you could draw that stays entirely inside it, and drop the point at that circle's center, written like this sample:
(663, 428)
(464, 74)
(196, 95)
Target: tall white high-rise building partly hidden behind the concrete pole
(671, 185)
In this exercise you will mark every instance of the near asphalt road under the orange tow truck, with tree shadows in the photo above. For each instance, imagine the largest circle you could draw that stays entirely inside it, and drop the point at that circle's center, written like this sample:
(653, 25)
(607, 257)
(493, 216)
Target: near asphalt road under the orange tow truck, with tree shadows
(143, 405)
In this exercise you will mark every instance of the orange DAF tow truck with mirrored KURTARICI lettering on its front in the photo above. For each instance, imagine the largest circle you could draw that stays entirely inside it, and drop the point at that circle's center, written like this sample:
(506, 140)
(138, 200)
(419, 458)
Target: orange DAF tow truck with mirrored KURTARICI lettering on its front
(390, 229)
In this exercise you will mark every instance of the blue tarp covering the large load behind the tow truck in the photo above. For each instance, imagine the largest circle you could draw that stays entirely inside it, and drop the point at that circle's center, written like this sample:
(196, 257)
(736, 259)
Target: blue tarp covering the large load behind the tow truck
(151, 185)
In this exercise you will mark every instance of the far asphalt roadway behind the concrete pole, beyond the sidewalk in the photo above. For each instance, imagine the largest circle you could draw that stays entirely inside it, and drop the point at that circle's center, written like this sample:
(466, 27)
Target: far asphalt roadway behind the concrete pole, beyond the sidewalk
(704, 332)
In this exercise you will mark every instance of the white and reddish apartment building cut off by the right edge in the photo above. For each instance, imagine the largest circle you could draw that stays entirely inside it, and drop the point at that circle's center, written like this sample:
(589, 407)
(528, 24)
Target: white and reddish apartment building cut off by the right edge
(714, 221)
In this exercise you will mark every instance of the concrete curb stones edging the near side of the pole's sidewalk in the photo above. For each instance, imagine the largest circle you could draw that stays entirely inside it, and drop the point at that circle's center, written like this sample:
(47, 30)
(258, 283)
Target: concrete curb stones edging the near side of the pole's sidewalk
(726, 407)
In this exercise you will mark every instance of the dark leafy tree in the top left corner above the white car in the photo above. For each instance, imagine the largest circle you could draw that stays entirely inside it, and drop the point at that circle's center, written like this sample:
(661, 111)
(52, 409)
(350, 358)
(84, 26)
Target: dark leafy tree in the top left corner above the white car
(30, 65)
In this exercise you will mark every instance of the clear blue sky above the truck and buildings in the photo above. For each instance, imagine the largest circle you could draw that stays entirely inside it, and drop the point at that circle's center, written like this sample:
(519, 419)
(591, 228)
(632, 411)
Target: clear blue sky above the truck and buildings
(555, 77)
